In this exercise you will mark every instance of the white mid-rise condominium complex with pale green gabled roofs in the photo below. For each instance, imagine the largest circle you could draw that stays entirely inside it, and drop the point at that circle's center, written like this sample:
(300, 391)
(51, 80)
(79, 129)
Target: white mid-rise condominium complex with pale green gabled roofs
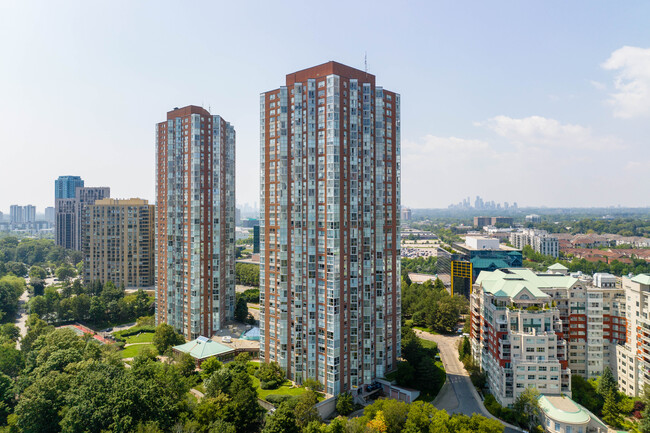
(518, 316)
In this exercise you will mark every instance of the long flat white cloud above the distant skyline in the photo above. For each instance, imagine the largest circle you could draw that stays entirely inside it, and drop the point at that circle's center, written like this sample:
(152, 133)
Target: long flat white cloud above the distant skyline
(542, 131)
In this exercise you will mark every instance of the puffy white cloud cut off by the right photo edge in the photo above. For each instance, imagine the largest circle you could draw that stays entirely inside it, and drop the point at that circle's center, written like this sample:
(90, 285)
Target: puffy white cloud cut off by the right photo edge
(632, 81)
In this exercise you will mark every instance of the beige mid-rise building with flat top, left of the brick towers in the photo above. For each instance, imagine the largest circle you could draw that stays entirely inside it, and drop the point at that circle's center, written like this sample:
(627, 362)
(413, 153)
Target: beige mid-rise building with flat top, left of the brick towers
(119, 242)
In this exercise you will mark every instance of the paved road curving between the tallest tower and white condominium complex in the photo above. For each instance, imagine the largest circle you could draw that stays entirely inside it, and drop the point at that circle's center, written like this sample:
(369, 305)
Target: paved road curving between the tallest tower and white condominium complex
(458, 395)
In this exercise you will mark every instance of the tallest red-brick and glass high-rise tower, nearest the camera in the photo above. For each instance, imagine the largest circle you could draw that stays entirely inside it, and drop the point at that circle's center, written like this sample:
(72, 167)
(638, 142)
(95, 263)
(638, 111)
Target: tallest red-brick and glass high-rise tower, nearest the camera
(330, 206)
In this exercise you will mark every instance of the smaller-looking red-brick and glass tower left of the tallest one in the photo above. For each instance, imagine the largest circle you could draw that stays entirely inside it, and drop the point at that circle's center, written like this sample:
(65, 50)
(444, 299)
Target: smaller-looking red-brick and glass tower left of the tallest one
(195, 224)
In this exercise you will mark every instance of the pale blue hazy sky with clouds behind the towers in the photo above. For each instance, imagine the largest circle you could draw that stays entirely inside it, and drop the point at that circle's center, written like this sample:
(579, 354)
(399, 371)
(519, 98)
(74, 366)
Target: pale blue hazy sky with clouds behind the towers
(544, 103)
